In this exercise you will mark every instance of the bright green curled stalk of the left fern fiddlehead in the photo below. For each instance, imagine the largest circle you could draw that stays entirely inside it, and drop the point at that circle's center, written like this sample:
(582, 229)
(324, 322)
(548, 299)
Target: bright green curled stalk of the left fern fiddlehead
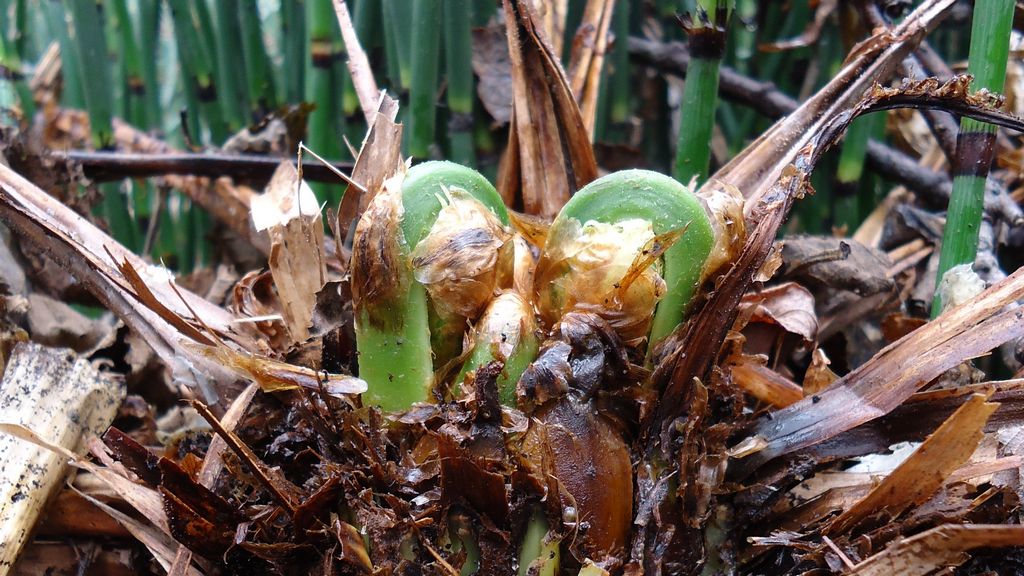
(395, 348)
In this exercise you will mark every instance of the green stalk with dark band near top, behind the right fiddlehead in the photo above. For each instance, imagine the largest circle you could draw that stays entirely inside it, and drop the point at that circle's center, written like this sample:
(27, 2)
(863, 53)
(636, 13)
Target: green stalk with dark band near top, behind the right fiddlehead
(701, 93)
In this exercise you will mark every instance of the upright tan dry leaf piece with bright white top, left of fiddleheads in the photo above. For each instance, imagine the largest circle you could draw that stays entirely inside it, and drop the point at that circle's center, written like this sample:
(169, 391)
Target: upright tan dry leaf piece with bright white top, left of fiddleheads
(289, 213)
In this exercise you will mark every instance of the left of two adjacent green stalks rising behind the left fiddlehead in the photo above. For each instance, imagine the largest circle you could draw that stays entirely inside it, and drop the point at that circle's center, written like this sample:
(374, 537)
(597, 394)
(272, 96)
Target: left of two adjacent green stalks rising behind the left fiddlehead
(424, 61)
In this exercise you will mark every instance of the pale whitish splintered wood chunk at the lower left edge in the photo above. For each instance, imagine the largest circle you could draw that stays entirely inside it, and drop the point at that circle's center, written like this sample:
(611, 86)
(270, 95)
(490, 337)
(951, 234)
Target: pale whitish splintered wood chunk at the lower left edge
(64, 399)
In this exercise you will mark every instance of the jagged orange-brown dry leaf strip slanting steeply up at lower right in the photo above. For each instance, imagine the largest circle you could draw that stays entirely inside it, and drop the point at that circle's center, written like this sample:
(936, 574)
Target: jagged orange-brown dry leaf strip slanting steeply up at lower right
(927, 470)
